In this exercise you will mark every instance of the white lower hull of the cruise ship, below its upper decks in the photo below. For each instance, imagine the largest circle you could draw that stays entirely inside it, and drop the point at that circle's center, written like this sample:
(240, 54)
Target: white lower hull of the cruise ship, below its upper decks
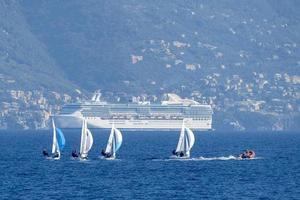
(72, 121)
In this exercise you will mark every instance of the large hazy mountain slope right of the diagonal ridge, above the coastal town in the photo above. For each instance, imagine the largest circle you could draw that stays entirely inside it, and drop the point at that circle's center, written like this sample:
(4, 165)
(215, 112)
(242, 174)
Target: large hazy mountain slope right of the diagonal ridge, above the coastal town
(102, 40)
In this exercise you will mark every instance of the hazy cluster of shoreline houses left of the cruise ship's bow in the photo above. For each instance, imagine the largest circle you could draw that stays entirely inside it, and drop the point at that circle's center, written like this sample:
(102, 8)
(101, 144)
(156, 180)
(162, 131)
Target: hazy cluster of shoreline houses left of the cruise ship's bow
(29, 109)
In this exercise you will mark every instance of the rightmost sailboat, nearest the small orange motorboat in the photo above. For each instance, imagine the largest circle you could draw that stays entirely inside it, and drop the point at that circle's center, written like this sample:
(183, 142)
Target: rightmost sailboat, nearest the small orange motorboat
(185, 143)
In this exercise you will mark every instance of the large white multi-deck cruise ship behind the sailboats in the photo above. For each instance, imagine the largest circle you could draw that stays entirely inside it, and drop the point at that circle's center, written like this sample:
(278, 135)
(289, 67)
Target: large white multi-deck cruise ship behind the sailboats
(137, 115)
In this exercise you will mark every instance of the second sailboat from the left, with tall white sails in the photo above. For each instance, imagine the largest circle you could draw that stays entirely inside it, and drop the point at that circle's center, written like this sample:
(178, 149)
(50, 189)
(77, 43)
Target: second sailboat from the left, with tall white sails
(86, 141)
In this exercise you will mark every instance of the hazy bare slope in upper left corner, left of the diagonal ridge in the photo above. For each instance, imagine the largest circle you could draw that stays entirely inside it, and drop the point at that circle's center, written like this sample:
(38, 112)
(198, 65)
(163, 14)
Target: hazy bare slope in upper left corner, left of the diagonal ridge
(24, 60)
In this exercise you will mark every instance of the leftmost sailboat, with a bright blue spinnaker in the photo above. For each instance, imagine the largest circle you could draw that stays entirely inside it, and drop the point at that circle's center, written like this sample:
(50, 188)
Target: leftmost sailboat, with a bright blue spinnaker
(58, 142)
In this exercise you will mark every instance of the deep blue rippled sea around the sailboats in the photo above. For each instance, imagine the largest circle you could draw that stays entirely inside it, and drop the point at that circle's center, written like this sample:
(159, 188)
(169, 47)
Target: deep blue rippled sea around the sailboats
(144, 170)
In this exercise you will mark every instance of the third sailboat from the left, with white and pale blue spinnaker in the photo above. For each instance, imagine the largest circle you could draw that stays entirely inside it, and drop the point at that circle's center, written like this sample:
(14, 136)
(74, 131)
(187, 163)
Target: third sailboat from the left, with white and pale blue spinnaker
(113, 145)
